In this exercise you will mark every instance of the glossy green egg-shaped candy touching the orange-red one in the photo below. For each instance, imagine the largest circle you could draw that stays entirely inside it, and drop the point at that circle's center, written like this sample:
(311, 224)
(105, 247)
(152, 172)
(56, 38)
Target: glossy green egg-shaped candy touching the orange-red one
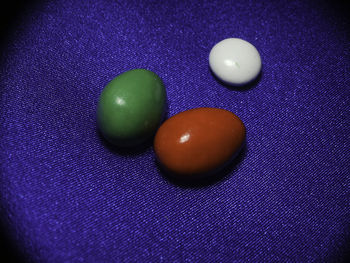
(131, 107)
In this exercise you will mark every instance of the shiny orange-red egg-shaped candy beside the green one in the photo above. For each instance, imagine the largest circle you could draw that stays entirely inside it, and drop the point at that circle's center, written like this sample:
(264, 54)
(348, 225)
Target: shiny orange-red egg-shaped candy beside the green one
(198, 141)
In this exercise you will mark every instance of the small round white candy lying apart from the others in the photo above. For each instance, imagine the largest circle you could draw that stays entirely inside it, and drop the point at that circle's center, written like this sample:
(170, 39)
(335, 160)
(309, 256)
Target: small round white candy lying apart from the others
(235, 61)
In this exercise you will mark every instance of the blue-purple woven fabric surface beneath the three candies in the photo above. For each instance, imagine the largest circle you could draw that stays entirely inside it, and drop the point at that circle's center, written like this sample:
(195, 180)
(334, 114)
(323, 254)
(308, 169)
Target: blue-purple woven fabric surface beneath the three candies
(66, 196)
